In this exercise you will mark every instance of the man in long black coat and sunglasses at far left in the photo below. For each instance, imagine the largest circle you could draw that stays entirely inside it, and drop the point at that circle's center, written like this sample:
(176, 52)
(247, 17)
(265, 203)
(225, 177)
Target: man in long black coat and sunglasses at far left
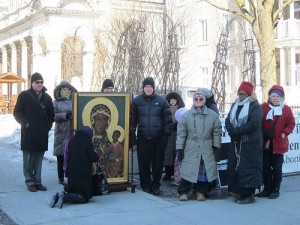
(34, 111)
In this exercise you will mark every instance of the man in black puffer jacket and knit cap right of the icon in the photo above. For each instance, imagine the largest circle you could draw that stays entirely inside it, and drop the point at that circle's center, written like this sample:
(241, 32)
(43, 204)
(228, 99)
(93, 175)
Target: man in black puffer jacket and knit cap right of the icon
(151, 116)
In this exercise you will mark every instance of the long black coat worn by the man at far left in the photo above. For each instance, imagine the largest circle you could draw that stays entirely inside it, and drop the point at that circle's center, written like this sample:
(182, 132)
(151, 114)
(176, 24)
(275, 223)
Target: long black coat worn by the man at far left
(36, 120)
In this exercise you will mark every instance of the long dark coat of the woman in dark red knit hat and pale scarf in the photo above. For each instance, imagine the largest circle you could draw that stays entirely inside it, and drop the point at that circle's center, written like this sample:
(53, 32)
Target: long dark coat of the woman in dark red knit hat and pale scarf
(248, 140)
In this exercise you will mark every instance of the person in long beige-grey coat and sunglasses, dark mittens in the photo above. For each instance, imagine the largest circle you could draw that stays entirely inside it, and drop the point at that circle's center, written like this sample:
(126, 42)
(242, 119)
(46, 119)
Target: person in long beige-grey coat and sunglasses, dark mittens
(198, 134)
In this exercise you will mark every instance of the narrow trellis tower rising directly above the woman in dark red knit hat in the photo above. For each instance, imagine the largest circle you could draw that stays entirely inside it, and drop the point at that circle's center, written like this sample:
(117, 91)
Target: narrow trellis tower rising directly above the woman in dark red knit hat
(249, 72)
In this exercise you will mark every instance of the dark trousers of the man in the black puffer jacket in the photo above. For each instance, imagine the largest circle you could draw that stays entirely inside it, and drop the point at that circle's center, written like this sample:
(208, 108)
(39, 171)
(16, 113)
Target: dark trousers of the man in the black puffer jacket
(150, 157)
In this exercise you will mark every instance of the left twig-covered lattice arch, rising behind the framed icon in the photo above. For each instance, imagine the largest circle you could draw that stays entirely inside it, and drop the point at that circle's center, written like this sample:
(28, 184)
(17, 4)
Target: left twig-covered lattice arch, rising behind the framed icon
(129, 56)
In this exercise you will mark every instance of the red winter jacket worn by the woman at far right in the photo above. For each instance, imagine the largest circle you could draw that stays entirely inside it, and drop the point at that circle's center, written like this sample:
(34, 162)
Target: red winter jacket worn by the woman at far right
(284, 124)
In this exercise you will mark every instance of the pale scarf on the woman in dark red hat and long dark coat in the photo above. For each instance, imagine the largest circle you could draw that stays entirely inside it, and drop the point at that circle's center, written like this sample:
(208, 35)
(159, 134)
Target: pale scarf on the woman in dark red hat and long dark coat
(243, 116)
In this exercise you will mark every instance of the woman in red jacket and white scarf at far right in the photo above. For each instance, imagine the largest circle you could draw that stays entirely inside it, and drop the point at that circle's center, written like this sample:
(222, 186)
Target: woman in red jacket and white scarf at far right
(277, 123)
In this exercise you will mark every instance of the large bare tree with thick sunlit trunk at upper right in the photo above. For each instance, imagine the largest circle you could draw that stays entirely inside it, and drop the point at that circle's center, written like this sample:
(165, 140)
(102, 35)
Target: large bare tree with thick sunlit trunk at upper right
(263, 16)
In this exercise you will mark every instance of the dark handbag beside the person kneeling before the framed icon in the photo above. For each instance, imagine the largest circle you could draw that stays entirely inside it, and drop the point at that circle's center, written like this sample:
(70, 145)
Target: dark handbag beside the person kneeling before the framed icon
(100, 183)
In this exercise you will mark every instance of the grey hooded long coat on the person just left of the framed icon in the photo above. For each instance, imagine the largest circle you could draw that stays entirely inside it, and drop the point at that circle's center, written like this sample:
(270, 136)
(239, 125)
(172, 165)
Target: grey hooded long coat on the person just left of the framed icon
(62, 124)
